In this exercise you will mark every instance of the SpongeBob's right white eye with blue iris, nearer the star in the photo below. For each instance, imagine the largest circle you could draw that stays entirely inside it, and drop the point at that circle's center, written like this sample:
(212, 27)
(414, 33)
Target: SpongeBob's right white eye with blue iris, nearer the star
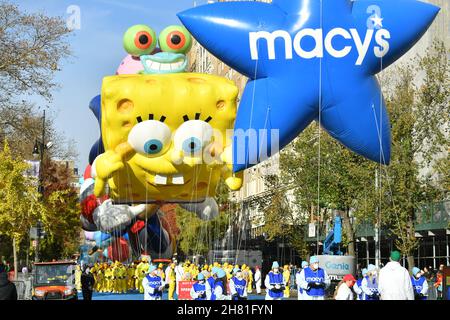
(192, 136)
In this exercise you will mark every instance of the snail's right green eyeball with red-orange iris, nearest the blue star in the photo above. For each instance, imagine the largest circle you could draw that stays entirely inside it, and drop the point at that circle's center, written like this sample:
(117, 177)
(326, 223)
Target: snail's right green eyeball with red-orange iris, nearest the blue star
(175, 39)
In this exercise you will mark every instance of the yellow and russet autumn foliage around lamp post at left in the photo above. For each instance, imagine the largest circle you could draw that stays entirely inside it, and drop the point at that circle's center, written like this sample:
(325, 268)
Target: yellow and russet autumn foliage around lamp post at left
(21, 205)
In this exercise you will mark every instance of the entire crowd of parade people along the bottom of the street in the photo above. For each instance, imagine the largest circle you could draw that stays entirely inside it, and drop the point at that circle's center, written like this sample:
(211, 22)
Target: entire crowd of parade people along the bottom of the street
(234, 282)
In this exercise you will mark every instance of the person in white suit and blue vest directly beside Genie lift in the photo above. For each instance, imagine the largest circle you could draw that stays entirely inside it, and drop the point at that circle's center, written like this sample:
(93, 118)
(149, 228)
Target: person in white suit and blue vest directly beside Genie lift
(314, 280)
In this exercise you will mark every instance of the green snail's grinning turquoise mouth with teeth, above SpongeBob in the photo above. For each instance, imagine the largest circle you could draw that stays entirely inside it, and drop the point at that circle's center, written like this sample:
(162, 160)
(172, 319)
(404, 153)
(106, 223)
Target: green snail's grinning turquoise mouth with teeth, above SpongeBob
(164, 62)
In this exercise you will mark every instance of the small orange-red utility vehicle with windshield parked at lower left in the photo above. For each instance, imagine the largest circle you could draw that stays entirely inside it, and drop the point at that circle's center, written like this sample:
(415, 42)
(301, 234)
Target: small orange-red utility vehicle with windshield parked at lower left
(54, 281)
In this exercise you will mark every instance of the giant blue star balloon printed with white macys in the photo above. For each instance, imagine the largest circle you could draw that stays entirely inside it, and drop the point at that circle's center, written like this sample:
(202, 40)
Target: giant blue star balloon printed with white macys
(310, 60)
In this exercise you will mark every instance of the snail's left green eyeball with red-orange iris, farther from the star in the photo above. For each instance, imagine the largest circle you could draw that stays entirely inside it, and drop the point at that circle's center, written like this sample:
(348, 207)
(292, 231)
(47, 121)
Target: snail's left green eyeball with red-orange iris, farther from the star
(139, 40)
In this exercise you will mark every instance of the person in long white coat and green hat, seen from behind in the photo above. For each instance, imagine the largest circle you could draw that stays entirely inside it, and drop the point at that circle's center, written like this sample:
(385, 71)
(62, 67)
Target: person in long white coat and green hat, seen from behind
(395, 281)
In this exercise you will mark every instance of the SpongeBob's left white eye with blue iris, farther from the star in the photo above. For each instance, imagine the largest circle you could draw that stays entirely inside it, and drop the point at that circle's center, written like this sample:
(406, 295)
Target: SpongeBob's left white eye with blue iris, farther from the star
(150, 137)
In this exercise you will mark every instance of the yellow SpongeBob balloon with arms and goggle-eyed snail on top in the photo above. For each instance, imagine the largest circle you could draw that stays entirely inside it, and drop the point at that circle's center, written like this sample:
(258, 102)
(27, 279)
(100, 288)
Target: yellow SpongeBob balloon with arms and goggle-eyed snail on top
(163, 131)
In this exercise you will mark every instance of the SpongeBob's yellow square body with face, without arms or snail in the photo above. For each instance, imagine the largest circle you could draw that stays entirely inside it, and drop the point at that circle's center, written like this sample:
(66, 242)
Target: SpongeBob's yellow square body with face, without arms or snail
(168, 122)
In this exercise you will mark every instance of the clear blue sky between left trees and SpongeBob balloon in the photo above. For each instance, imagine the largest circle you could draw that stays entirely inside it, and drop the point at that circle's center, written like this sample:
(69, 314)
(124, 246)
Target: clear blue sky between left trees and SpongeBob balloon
(97, 49)
